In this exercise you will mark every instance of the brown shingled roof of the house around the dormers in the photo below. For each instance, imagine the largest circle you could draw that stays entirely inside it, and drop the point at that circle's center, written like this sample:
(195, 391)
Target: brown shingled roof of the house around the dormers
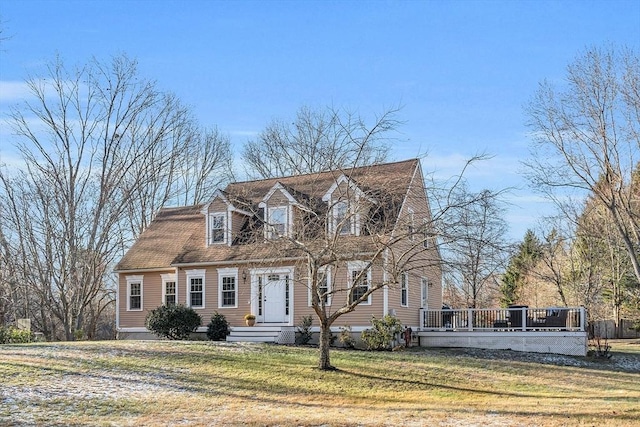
(177, 235)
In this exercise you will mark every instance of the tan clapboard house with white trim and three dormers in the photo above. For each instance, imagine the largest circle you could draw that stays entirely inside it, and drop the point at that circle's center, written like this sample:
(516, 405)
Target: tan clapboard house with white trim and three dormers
(248, 250)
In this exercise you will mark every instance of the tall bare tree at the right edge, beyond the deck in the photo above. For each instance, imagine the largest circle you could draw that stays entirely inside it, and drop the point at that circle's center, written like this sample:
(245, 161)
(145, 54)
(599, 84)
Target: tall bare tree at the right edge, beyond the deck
(587, 138)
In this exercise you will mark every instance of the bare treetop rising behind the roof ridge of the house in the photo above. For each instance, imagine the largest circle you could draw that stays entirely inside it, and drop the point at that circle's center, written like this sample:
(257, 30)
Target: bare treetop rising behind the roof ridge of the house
(319, 140)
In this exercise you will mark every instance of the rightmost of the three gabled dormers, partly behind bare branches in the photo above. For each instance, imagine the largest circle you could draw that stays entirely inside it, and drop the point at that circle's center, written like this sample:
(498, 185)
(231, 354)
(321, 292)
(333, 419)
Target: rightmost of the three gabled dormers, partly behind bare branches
(346, 203)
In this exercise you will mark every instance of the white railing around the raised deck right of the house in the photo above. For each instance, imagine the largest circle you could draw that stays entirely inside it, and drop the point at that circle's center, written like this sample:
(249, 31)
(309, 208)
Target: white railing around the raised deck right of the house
(515, 318)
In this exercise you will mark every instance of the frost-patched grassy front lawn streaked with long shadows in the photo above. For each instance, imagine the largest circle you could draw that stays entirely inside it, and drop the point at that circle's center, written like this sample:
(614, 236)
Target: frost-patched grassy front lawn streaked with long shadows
(152, 383)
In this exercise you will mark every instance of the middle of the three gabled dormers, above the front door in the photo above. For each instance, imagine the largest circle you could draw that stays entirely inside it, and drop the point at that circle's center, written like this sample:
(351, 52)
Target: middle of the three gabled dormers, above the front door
(277, 206)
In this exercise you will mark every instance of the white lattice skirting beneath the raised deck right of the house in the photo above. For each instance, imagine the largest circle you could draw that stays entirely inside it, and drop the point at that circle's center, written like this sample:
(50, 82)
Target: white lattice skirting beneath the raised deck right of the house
(561, 342)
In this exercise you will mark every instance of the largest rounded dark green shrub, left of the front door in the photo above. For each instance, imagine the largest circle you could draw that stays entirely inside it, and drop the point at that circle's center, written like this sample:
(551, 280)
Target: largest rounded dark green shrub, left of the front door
(175, 322)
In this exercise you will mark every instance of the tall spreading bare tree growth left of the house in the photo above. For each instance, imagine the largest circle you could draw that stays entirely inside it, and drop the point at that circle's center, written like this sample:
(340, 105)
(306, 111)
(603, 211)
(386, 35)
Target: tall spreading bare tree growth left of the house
(103, 149)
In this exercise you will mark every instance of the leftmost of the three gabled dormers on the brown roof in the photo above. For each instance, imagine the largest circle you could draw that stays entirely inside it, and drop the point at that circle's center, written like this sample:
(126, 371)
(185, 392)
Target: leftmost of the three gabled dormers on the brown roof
(223, 220)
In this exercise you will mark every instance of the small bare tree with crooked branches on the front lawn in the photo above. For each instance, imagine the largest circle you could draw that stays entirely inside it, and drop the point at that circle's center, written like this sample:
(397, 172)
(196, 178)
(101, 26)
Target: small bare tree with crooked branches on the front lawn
(390, 240)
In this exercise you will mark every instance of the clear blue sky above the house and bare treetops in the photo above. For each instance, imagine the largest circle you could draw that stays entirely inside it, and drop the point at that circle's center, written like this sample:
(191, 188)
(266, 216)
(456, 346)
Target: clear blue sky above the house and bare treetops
(462, 70)
